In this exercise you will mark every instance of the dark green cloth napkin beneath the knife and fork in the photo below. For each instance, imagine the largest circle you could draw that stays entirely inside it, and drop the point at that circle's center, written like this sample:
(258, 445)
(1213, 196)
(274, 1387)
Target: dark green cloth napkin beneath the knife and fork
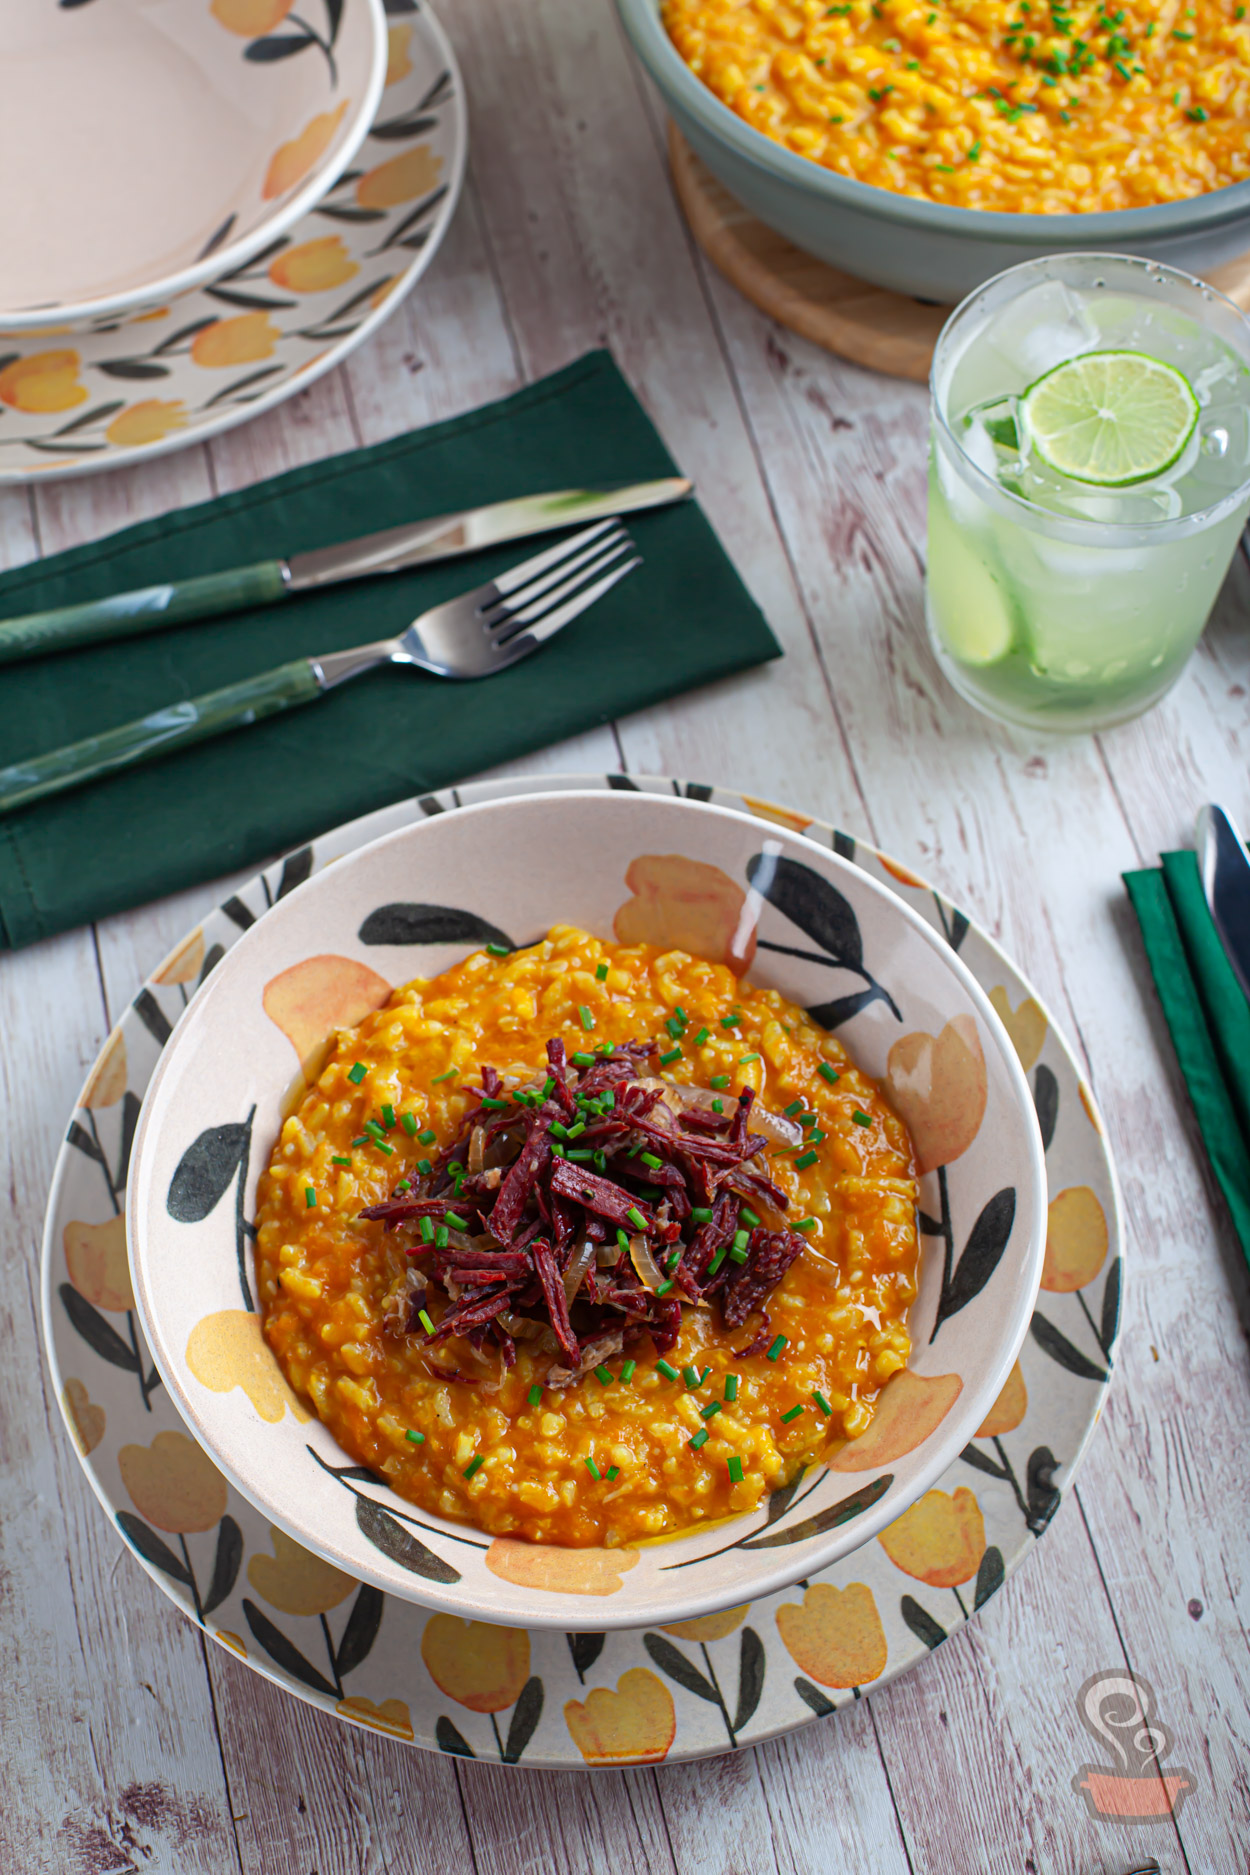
(681, 620)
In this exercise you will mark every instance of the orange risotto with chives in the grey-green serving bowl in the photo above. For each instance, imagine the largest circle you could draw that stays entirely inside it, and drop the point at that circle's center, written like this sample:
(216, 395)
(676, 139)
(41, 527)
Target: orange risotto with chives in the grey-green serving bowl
(1022, 106)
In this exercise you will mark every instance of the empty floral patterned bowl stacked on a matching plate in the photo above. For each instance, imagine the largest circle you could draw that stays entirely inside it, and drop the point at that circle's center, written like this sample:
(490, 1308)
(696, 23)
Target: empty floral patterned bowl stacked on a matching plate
(156, 143)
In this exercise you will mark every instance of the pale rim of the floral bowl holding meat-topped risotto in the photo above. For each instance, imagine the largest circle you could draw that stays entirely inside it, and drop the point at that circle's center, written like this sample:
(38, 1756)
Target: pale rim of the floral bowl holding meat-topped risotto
(554, 1613)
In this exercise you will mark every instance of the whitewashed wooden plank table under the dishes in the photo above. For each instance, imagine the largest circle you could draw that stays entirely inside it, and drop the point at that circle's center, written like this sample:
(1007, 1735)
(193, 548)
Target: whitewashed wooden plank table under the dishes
(132, 1747)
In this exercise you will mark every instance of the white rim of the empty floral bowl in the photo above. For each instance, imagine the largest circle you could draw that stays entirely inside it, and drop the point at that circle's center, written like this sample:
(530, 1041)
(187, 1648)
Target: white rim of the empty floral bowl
(237, 252)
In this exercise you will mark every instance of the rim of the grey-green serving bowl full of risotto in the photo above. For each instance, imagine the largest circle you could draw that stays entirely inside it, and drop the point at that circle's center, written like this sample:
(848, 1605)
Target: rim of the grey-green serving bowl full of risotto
(1045, 233)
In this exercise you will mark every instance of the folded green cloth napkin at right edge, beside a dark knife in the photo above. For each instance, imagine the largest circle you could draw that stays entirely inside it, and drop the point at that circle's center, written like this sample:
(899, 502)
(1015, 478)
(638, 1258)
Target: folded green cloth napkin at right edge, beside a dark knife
(1208, 1017)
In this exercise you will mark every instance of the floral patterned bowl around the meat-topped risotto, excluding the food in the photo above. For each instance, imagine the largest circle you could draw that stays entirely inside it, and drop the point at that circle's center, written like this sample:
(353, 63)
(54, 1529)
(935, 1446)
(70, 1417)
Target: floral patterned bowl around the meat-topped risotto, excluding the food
(415, 903)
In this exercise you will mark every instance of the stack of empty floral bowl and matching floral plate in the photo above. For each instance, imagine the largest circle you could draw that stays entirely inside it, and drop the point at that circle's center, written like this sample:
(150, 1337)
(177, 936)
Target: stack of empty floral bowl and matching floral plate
(235, 198)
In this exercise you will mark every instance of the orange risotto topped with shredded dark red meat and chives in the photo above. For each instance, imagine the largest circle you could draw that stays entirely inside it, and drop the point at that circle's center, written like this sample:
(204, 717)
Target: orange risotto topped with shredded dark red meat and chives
(586, 1244)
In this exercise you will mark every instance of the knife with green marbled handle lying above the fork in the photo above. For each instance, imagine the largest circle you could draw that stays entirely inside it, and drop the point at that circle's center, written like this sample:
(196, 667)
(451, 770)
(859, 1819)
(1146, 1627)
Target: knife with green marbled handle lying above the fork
(441, 539)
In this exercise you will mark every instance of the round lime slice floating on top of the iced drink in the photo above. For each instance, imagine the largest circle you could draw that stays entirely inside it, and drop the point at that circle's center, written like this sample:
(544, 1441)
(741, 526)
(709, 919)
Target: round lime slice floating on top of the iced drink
(1110, 417)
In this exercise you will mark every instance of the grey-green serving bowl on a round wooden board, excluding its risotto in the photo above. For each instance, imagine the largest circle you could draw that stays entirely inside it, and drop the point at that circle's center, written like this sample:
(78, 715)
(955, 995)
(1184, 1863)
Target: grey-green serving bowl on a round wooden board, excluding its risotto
(927, 250)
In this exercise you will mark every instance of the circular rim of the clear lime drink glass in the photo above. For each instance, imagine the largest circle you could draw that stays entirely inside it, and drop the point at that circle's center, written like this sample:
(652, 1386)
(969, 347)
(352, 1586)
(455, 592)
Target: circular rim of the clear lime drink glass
(1079, 528)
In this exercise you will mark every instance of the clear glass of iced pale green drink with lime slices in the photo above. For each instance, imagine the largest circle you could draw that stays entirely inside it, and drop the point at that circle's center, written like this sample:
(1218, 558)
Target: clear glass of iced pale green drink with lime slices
(1090, 477)
